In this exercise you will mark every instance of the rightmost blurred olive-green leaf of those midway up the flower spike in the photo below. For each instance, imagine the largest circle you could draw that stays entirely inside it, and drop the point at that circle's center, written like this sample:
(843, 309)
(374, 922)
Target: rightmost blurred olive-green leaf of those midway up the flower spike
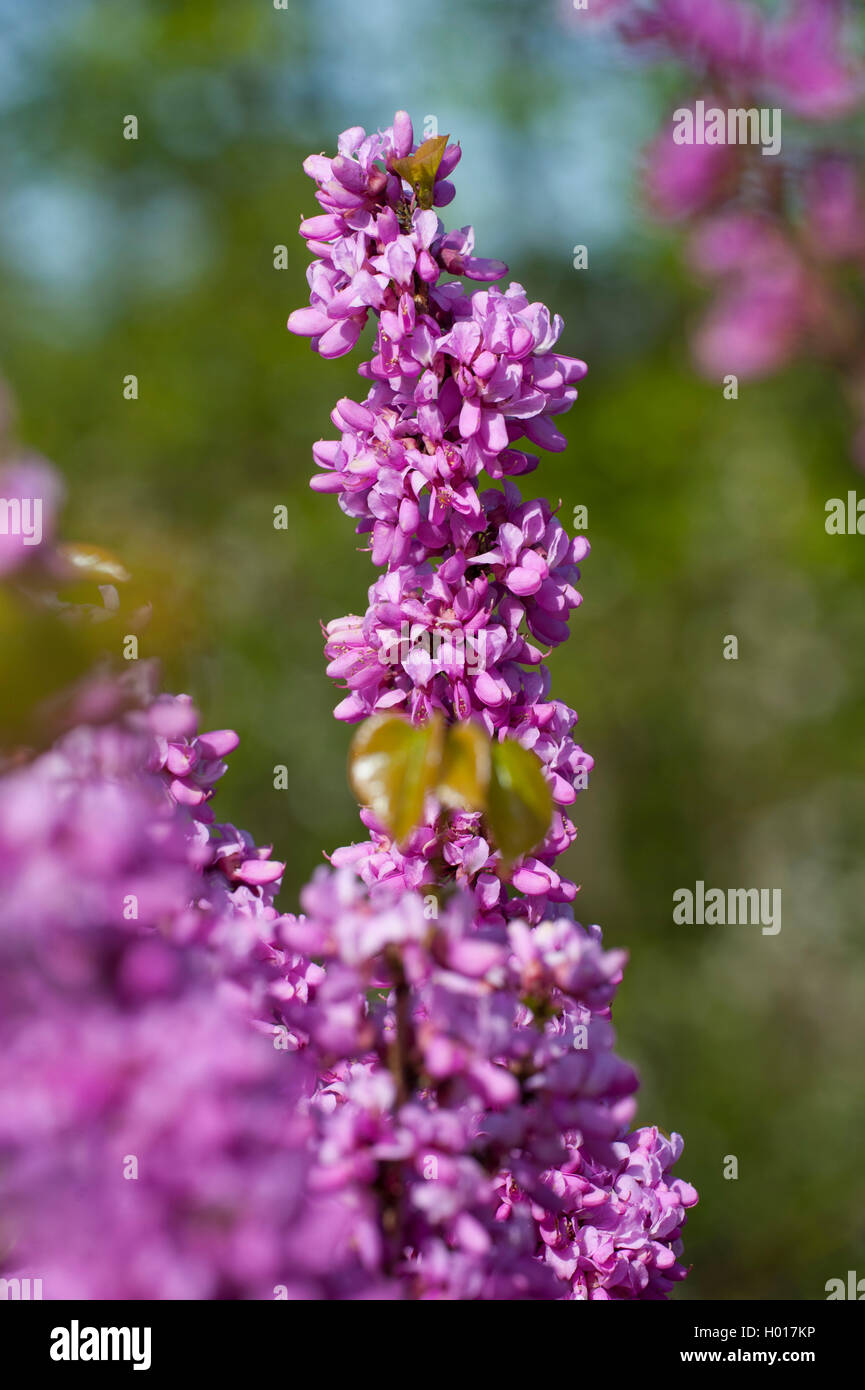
(519, 806)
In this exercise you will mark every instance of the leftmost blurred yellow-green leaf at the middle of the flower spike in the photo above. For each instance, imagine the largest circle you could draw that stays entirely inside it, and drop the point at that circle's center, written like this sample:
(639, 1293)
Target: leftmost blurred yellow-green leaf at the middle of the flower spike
(393, 765)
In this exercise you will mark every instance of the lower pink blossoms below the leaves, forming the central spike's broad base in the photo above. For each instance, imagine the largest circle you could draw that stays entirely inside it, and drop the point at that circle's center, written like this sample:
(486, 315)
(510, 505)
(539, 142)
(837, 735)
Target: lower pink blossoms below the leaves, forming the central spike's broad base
(480, 1097)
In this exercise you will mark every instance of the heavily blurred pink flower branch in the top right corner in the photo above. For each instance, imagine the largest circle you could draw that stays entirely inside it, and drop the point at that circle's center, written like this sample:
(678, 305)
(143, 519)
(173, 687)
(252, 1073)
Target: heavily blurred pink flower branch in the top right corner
(779, 238)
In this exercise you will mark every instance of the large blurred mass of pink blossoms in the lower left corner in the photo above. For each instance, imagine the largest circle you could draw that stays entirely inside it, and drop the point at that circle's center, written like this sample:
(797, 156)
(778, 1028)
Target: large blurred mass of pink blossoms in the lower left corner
(151, 1146)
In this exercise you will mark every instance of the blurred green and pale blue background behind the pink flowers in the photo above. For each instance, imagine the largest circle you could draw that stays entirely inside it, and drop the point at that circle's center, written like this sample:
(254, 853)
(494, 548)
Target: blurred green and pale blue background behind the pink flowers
(156, 258)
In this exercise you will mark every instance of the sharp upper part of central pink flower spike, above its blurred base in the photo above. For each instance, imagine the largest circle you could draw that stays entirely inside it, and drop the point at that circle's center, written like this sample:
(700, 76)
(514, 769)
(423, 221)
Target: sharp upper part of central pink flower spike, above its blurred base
(479, 584)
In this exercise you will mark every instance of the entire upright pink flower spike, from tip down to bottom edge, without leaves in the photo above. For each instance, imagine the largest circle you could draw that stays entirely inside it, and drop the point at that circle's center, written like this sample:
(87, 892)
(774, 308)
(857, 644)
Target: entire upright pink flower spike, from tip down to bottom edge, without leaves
(482, 1095)
